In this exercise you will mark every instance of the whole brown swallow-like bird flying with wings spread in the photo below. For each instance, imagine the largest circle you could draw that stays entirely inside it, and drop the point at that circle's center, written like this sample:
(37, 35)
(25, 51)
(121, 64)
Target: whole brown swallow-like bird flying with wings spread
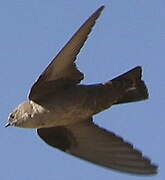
(61, 109)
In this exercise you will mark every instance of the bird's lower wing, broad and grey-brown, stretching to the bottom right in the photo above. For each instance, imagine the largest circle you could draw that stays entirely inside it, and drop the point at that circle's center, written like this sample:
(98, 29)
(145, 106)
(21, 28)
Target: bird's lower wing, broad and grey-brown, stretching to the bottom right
(92, 143)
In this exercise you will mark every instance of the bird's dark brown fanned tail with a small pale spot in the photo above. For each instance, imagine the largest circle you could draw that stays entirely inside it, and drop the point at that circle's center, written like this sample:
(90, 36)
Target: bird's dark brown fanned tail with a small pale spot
(137, 89)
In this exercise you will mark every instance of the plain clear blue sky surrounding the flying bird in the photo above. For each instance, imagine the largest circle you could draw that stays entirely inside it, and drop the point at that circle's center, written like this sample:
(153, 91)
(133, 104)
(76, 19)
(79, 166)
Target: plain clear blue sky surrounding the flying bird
(127, 34)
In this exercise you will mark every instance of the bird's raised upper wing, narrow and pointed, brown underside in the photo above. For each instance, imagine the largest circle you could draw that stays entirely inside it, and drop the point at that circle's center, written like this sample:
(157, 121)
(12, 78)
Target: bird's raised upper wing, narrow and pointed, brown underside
(62, 70)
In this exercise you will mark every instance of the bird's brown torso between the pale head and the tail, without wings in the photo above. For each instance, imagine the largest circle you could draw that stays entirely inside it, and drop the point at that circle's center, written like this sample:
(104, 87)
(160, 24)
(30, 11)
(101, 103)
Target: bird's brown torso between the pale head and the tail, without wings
(72, 105)
